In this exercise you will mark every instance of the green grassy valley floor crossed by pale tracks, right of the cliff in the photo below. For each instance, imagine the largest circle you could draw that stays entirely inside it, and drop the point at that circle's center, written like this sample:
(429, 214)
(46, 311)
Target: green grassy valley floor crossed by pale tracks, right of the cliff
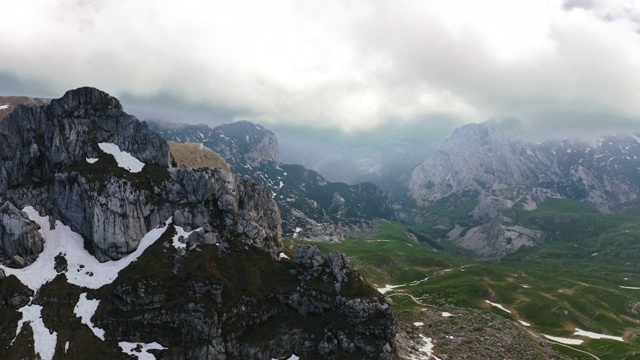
(557, 288)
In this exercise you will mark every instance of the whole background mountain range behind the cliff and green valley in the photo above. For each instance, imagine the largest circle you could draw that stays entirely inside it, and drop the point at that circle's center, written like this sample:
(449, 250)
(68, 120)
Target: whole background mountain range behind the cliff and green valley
(462, 192)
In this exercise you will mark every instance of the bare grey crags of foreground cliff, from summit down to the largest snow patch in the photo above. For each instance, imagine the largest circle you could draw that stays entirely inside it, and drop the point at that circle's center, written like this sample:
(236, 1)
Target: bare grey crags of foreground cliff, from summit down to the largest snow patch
(48, 149)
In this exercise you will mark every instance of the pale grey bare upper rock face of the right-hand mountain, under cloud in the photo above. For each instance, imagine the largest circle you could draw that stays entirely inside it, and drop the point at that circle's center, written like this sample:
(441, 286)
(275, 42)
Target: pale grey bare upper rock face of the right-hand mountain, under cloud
(488, 159)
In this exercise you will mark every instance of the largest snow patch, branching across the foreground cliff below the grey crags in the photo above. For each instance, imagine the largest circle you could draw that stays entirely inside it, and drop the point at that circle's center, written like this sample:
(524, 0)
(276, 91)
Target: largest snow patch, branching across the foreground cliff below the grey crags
(84, 269)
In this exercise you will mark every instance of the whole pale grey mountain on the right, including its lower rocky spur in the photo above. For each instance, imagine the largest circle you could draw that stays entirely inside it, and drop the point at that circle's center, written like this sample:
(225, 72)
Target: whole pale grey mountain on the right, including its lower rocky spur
(466, 189)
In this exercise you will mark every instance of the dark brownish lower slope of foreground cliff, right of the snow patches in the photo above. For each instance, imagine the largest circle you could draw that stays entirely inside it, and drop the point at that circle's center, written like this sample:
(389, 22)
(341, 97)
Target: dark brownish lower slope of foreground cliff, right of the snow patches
(268, 312)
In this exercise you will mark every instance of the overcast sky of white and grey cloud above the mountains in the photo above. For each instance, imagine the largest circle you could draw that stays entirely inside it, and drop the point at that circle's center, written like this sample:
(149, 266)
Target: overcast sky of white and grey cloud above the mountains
(354, 65)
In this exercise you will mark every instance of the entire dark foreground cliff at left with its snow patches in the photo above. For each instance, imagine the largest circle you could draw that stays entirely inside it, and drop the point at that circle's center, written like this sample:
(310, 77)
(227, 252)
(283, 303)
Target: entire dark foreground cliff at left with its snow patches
(190, 261)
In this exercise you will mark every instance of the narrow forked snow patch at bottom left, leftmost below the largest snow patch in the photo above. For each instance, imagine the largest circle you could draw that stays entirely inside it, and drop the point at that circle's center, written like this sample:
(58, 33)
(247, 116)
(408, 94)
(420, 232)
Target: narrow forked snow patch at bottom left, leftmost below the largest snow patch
(44, 341)
